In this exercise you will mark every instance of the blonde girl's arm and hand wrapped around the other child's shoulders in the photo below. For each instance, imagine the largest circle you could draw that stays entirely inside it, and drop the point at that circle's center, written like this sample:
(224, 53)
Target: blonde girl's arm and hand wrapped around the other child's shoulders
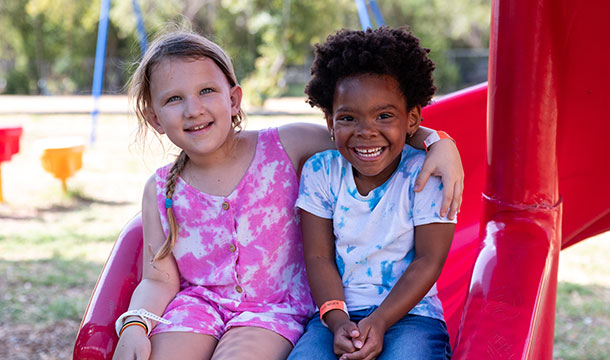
(301, 140)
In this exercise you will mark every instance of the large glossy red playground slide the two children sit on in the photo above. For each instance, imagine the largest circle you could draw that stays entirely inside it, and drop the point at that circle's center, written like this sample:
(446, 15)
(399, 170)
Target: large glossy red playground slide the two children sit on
(536, 168)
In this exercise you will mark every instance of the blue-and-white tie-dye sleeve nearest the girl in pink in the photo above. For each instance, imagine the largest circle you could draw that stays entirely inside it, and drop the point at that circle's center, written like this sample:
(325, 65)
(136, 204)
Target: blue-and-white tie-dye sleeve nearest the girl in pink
(315, 195)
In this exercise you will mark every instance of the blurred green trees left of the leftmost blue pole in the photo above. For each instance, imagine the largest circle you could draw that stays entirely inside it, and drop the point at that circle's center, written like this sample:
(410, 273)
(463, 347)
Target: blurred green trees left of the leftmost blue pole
(47, 38)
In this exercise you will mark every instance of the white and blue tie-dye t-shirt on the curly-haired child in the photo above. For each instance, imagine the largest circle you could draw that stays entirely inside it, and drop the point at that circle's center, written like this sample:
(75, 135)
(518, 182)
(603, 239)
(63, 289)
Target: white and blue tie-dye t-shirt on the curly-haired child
(374, 233)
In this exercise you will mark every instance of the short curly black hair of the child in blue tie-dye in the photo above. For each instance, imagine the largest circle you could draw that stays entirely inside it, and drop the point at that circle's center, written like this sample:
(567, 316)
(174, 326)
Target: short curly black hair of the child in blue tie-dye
(385, 51)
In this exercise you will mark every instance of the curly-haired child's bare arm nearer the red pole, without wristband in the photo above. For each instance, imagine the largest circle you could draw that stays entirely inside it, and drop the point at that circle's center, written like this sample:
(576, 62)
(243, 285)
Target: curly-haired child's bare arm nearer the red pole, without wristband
(432, 243)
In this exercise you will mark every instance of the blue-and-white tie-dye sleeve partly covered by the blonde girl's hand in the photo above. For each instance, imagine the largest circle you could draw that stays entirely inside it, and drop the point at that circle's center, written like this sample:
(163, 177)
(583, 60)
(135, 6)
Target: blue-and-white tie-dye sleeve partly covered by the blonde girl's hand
(427, 204)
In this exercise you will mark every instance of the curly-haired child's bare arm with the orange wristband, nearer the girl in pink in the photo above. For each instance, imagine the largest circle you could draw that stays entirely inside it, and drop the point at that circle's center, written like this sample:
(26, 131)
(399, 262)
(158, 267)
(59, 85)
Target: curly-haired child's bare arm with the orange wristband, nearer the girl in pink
(324, 278)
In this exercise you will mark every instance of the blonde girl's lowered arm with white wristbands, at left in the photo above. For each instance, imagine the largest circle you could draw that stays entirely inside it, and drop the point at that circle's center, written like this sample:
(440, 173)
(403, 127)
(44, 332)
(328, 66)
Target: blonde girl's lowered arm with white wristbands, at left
(160, 281)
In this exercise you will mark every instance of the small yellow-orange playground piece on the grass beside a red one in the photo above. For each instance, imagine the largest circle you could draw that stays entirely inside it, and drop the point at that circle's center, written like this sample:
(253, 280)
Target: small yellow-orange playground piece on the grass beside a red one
(63, 157)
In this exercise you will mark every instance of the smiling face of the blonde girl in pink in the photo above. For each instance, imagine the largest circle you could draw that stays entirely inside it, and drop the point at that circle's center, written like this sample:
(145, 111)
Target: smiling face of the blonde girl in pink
(193, 102)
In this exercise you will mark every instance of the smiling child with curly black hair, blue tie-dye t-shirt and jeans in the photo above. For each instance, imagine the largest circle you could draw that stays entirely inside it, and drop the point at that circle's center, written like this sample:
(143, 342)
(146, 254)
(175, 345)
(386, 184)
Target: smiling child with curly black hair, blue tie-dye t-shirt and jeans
(374, 247)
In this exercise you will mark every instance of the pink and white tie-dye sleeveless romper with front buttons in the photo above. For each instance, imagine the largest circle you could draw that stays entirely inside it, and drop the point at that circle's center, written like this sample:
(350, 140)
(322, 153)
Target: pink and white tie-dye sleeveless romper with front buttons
(240, 256)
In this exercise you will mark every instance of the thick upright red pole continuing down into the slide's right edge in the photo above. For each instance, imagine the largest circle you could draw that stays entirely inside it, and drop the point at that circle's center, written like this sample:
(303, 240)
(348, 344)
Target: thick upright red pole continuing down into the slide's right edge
(510, 308)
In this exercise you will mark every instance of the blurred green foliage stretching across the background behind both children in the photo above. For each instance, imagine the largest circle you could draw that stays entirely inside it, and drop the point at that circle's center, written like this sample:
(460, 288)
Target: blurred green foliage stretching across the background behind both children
(49, 45)
